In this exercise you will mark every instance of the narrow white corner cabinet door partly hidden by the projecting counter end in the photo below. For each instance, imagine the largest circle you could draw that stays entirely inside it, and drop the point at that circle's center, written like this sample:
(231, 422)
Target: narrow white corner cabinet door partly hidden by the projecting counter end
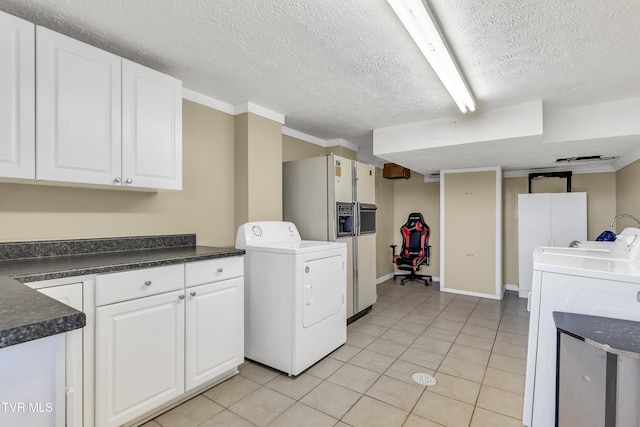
(72, 296)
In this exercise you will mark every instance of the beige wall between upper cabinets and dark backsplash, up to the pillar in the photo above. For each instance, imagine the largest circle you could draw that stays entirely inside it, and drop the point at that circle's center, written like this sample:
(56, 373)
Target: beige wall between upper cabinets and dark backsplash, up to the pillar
(204, 207)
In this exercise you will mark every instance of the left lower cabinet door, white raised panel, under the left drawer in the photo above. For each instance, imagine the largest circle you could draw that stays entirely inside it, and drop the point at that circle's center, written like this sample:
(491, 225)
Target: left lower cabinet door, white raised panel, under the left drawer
(139, 356)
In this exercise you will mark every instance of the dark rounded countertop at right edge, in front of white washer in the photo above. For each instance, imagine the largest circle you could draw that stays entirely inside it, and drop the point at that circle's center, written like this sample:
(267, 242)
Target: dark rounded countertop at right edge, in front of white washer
(613, 335)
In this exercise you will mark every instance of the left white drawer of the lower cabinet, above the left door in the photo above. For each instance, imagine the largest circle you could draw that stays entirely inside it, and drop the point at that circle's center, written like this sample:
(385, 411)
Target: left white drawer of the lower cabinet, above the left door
(134, 284)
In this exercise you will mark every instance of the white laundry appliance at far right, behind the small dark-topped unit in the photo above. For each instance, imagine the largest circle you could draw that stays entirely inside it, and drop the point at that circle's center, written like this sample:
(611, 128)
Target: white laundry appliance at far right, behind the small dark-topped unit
(602, 283)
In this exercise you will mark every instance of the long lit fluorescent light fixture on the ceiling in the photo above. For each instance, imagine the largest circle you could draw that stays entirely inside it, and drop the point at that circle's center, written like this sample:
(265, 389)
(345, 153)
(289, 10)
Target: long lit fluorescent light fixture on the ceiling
(417, 18)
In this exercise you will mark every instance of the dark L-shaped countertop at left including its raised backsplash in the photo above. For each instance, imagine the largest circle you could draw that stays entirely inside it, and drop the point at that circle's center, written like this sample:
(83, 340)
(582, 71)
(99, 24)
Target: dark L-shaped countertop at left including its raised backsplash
(26, 314)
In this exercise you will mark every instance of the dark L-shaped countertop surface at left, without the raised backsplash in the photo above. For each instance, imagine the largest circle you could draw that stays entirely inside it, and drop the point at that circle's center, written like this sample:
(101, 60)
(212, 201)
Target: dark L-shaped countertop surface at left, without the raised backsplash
(26, 314)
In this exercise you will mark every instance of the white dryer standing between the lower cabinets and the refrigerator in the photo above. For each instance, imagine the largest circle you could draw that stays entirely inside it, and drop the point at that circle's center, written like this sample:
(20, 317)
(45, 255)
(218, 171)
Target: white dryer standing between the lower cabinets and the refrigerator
(295, 296)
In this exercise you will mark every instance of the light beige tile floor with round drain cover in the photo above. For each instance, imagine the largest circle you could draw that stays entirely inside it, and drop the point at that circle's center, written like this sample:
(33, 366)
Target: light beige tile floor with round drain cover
(474, 347)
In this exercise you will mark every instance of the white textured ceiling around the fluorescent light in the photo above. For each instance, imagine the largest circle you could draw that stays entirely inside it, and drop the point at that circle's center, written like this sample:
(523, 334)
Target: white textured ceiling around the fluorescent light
(337, 69)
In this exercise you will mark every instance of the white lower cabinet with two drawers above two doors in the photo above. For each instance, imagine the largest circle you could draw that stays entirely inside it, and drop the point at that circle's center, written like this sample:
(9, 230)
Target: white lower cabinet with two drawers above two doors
(162, 332)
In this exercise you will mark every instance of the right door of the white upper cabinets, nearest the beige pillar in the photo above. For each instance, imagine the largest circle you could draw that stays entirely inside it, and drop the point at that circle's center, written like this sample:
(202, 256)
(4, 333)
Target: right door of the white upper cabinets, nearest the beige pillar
(151, 128)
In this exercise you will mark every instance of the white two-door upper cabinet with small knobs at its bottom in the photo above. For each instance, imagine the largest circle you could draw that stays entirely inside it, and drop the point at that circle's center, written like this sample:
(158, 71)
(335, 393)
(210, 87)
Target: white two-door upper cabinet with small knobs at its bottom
(104, 120)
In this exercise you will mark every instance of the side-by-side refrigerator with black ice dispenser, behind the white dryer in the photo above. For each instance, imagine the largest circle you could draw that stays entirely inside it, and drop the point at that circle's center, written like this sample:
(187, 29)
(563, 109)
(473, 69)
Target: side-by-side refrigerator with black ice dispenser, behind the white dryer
(332, 198)
